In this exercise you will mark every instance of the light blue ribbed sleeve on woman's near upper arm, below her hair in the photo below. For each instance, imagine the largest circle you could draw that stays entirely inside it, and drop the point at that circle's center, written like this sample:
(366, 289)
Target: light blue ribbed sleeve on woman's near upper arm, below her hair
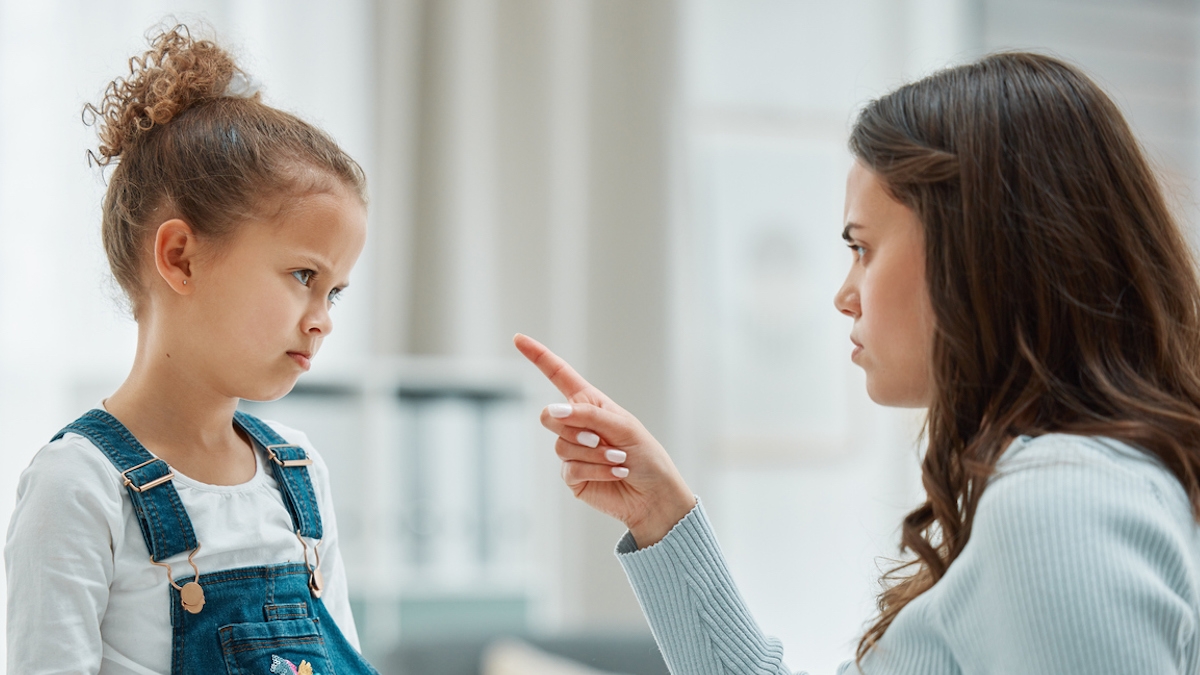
(1078, 563)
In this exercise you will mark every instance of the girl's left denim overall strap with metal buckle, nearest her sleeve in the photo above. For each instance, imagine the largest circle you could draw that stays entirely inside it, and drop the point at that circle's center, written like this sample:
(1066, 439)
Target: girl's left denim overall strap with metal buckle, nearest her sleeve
(165, 524)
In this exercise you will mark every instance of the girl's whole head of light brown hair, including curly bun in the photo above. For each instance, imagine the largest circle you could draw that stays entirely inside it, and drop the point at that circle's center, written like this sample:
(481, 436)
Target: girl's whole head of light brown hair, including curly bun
(190, 140)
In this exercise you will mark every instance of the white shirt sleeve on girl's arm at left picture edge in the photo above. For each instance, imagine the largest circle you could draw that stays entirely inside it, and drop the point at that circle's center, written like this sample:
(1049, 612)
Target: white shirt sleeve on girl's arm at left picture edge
(59, 560)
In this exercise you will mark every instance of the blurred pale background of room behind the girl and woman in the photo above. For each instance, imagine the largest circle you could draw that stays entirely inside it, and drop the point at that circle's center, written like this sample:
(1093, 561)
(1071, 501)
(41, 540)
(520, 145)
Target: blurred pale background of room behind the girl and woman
(653, 188)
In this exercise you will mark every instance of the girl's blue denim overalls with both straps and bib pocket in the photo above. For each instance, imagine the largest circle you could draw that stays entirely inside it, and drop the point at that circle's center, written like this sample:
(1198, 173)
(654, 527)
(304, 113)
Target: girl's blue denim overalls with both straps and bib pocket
(253, 620)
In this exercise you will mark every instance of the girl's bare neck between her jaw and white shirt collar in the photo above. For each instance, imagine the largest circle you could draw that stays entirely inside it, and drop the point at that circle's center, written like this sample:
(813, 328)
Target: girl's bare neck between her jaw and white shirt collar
(183, 420)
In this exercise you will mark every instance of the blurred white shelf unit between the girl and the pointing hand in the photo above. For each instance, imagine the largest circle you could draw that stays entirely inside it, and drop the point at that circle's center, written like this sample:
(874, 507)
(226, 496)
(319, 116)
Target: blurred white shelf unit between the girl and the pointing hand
(429, 467)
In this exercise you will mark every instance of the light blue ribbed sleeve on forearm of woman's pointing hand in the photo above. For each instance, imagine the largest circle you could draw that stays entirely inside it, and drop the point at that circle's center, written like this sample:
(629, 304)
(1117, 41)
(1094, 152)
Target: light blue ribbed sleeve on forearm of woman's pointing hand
(694, 608)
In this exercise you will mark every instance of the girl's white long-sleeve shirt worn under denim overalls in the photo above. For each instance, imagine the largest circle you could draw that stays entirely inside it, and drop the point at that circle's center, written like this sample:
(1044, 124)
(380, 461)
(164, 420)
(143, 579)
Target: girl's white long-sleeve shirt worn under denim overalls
(83, 596)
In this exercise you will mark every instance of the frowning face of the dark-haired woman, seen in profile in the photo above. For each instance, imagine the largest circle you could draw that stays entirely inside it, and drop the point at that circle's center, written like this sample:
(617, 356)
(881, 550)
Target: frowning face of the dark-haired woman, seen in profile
(886, 294)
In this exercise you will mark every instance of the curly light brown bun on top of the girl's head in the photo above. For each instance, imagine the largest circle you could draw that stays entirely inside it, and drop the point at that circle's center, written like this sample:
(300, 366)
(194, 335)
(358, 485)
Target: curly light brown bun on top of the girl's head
(175, 75)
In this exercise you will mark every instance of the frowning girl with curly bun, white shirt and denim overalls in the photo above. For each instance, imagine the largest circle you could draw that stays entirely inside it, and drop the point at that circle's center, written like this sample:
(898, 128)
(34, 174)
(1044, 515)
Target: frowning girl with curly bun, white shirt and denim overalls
(165, 531)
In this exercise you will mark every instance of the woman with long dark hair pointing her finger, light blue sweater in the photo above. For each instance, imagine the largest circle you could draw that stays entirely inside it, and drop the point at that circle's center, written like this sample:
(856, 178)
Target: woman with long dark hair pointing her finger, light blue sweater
(1017, 272)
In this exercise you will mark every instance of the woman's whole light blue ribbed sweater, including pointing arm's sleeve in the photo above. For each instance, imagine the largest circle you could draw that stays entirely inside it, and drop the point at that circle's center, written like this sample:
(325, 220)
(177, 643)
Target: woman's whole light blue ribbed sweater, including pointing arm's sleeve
(1084, 559)
